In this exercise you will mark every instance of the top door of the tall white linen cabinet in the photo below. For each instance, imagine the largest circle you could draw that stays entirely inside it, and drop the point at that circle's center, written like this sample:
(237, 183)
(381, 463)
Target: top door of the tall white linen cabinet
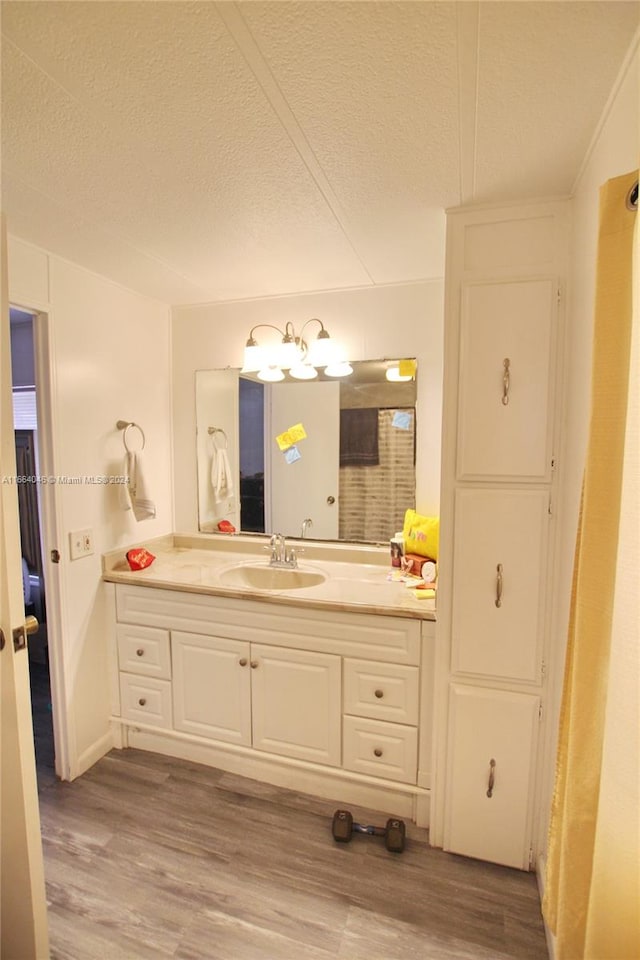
(504, 400)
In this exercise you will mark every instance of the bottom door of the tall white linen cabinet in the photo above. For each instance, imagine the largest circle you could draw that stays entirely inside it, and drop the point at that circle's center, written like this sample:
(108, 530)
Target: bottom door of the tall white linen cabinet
(490, 772)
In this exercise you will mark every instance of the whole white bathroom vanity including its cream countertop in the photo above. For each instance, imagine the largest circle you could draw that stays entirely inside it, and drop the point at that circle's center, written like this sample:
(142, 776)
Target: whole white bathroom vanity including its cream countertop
(318, 679)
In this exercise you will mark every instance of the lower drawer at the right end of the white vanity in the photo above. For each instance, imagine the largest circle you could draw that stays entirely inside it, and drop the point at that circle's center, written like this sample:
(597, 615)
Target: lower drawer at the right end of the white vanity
(380, 749)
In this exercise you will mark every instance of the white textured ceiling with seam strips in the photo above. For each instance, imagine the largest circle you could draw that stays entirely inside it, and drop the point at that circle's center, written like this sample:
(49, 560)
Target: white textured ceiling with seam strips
(213, 151)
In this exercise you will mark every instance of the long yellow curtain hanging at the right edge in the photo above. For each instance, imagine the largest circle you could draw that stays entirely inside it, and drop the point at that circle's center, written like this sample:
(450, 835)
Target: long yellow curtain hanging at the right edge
(592, 880)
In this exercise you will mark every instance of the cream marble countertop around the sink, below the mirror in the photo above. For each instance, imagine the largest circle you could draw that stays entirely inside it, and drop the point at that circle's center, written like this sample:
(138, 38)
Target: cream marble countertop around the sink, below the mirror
(356, 575)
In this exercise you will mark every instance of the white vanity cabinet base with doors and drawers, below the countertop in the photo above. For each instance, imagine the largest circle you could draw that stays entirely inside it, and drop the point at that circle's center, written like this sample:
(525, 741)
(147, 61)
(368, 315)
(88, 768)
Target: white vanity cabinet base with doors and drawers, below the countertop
(326, 701)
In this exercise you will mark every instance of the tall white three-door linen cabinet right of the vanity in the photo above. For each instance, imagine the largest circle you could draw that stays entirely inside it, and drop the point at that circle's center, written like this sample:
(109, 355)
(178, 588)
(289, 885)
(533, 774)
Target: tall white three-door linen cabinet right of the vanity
(505, 300)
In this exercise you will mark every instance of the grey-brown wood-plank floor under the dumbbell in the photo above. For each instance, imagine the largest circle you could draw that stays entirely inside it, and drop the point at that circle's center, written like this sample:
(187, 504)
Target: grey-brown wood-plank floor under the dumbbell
(149, 857)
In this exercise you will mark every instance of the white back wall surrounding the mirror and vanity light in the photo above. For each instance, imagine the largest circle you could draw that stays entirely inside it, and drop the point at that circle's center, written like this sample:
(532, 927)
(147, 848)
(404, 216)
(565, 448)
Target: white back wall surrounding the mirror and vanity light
(387, 321)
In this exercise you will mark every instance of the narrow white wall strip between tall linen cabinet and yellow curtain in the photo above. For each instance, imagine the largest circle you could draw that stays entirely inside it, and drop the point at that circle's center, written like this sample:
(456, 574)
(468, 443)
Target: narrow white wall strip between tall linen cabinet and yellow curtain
(614, 151)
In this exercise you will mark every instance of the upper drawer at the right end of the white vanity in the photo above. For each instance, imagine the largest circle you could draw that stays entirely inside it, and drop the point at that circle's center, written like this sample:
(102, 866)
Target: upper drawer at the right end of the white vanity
(382, 691)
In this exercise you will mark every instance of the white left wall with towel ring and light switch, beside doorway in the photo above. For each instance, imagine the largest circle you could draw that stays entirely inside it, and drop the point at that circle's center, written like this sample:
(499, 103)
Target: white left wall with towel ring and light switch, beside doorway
(109, 360)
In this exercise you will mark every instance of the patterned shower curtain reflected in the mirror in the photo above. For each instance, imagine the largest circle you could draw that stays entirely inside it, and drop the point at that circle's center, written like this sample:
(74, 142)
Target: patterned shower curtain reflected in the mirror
(373, 499)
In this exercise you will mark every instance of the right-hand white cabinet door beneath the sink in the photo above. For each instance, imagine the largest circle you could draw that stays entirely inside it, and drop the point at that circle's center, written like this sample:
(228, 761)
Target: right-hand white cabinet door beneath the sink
(296, 703)
